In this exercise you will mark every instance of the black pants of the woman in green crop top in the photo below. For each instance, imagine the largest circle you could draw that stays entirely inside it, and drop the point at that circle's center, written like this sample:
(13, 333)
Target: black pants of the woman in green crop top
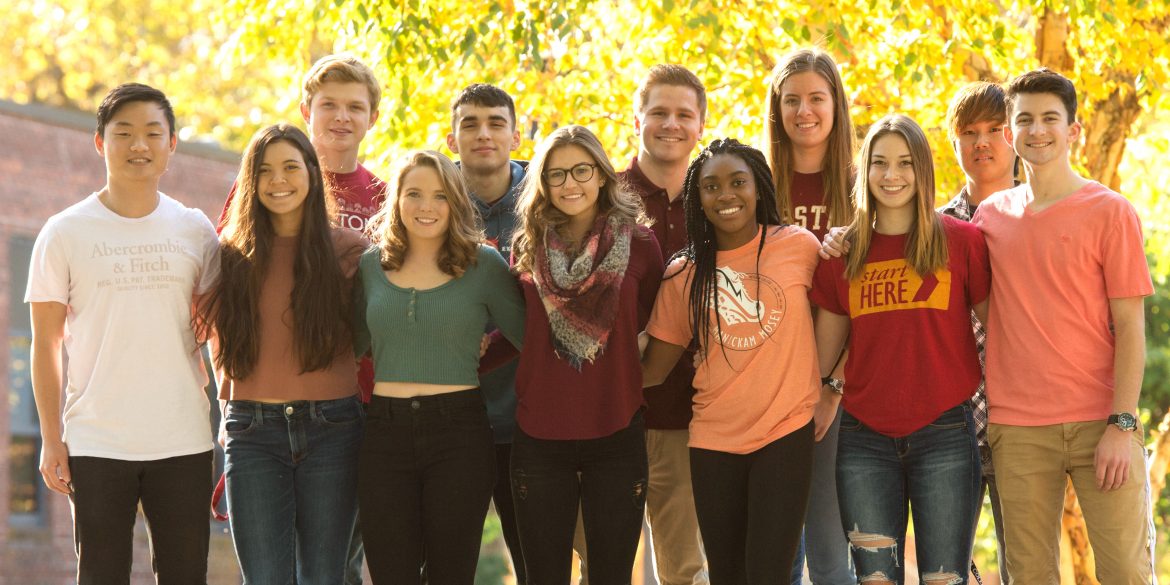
(426, 470)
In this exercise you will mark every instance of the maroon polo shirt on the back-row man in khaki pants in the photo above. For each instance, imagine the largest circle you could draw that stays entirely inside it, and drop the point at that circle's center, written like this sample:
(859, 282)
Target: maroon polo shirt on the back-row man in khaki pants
(667, 405)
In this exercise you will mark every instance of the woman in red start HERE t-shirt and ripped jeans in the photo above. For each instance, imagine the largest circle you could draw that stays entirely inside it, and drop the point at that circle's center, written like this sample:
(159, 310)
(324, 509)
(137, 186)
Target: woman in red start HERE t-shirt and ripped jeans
(907, 439)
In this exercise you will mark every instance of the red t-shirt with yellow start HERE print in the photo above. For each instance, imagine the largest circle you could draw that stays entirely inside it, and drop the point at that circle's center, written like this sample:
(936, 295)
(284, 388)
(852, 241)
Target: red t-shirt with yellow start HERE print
(912, 350)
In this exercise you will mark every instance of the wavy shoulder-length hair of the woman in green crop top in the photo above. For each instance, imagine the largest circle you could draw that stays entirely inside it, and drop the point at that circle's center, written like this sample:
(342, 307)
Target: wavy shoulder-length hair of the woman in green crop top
(464, 236)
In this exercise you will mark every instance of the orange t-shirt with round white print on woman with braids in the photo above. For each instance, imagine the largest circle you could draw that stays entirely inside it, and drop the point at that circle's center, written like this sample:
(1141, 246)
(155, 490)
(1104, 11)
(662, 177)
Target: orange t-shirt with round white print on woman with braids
(760, 380)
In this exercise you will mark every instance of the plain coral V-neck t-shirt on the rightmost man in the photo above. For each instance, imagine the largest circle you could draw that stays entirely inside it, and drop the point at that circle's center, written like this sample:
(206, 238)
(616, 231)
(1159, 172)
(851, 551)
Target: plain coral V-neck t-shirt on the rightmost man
(1050, 341)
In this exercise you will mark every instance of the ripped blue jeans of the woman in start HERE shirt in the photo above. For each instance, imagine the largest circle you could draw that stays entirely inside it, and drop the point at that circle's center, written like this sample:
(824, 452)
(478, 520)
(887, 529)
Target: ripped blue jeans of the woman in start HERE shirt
(934, 472)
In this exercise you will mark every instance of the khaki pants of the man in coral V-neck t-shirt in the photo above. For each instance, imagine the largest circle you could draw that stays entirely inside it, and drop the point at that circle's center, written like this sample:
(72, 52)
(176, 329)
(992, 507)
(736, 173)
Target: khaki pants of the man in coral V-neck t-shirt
(1033, 469)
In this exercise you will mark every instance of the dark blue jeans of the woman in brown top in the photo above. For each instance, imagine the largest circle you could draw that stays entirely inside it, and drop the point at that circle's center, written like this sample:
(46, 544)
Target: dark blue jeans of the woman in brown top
(292, 488)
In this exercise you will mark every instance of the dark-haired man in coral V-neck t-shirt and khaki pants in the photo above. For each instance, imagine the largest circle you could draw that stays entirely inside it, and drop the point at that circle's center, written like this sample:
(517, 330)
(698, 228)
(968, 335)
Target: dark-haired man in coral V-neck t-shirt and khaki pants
(1066, 348)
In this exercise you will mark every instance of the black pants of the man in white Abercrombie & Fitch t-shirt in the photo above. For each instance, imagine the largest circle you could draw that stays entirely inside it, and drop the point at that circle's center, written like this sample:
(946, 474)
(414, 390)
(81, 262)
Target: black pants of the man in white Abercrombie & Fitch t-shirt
(176, 495)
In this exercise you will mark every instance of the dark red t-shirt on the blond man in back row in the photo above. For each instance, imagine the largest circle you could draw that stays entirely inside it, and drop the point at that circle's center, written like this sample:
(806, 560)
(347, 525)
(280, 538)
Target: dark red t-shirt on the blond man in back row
(360, 196)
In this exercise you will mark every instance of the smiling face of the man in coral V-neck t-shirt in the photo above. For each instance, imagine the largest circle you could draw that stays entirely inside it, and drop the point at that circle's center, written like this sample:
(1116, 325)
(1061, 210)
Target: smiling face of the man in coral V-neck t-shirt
(1041, 130)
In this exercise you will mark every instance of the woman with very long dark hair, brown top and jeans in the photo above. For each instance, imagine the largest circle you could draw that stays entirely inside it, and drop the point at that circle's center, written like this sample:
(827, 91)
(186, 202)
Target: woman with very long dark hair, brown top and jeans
(281, 322)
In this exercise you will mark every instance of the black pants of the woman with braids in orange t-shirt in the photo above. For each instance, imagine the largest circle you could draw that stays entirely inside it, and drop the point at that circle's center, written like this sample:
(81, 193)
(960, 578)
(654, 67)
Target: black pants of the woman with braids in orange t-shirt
(752, 508)
